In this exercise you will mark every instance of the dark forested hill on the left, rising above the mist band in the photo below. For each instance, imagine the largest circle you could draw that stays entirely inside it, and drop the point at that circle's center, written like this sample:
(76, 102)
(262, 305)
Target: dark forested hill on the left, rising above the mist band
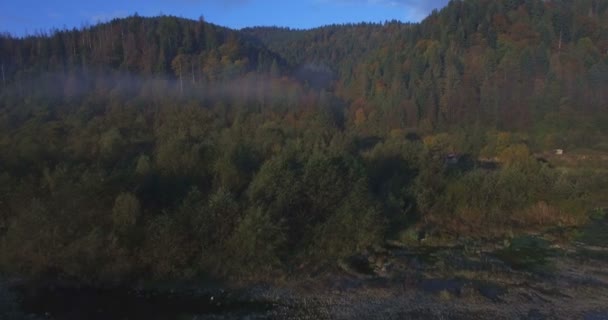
(145, 46)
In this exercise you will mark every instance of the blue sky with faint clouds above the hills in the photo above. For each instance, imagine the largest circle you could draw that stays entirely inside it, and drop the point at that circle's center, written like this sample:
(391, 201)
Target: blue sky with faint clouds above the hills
(20, 17)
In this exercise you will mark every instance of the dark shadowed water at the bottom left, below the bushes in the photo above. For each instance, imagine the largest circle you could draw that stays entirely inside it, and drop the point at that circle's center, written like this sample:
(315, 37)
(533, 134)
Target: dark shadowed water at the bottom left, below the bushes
(72, 303)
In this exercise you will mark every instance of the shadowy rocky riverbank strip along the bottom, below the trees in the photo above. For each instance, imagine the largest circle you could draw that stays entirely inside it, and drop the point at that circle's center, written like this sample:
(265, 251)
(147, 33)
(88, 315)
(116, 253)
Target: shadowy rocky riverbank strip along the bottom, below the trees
(527, 277)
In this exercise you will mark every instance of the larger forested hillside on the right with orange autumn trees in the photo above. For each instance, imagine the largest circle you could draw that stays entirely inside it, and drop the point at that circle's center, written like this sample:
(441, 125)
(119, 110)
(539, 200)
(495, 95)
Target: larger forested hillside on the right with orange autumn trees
(511, 64)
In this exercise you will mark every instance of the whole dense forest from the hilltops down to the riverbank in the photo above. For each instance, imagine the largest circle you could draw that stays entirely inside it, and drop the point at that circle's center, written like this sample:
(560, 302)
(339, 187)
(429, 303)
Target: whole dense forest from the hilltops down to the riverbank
(169, 148)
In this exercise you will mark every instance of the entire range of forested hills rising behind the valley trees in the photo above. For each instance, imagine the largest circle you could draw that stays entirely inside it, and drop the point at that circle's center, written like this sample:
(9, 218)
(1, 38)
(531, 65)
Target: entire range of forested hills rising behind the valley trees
(473, 60)
